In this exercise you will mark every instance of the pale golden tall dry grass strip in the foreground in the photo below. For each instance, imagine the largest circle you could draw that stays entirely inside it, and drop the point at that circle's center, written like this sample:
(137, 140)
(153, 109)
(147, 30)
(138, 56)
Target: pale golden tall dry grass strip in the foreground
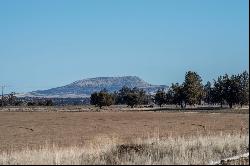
(108, 150)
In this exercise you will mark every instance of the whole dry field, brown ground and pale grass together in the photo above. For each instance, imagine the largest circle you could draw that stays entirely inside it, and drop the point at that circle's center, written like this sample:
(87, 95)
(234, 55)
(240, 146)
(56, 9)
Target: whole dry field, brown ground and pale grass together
(60, 133)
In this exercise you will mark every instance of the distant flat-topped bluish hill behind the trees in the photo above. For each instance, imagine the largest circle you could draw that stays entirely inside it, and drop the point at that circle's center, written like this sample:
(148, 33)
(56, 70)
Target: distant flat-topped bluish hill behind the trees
(85, 87)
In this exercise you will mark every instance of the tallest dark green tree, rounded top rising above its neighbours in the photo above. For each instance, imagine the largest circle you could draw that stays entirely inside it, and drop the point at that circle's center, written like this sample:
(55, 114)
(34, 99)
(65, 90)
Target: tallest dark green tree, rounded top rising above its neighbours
(193, 88)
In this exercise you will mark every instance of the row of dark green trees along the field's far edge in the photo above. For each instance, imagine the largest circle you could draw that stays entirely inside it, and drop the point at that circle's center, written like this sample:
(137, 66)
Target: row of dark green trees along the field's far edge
(231, 90)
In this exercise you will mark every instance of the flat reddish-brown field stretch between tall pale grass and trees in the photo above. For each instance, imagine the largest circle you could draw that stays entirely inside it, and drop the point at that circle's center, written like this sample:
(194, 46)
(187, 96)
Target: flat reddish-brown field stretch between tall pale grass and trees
(20, 130)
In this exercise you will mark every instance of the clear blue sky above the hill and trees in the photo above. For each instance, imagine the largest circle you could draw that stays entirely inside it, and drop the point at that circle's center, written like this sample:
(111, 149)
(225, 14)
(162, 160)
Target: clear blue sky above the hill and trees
(49, 43)
